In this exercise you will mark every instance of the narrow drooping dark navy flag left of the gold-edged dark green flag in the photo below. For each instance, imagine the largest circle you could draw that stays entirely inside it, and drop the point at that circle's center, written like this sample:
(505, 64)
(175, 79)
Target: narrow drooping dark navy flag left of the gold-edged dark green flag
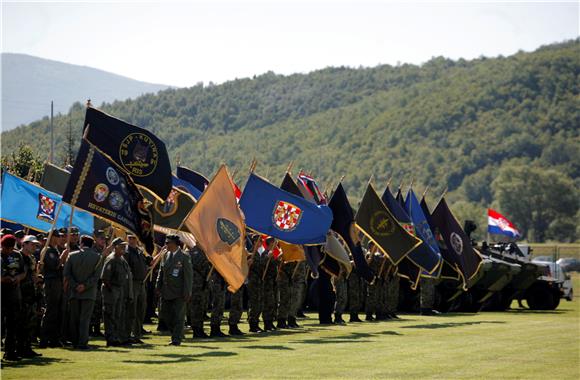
(343, 219)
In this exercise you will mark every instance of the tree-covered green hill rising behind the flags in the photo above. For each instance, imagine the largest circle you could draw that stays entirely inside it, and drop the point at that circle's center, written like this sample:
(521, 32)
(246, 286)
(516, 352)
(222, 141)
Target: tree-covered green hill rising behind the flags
(501, 132)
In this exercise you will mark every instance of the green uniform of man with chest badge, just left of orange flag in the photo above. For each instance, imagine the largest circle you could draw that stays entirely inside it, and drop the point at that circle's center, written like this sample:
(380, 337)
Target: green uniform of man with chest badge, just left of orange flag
(175, 284)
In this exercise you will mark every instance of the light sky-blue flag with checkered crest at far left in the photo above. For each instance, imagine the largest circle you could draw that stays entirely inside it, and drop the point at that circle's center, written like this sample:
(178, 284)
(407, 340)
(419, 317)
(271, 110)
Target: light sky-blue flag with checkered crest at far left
(34, 207)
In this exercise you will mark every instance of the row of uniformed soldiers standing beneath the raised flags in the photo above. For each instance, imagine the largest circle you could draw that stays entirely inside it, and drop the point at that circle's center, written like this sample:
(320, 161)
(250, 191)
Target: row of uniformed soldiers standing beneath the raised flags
(78, 280)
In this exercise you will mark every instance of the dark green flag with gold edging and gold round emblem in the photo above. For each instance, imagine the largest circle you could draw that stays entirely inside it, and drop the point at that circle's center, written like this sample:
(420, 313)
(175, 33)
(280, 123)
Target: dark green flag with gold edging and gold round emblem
(376, 221)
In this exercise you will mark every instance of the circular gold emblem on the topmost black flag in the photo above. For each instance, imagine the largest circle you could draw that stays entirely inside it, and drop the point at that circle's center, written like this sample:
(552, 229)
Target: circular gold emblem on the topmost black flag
(138, 154)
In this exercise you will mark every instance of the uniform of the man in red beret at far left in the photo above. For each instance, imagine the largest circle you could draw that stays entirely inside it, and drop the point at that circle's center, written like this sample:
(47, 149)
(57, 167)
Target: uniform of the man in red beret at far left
(12, 266)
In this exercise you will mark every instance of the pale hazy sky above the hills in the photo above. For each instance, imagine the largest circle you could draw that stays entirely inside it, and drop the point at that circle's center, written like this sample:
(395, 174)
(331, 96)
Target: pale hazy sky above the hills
(184, 42)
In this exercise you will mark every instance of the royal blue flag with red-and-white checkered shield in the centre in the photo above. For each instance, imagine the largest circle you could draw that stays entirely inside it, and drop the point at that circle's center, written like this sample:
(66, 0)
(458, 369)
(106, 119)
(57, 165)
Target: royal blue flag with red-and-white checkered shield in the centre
(285, 216)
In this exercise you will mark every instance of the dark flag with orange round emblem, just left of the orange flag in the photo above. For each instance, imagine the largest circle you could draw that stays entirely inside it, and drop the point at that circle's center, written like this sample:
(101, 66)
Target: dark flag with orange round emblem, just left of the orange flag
(172, 213)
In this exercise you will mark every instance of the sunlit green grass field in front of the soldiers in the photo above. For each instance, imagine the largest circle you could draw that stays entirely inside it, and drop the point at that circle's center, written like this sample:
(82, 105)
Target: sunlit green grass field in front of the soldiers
(514, 344)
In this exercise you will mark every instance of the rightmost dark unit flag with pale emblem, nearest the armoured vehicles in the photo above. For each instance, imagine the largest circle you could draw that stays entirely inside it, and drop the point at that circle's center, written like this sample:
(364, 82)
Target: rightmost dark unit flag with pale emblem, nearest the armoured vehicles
(457, 245)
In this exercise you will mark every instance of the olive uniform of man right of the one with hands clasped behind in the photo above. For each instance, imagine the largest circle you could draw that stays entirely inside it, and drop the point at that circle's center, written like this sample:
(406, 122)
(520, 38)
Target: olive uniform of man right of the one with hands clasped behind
(114, 276)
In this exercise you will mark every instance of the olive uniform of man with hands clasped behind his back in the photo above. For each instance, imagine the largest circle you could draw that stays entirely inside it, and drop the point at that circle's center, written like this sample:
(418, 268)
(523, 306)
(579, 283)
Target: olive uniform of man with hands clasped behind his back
(82, 267)
